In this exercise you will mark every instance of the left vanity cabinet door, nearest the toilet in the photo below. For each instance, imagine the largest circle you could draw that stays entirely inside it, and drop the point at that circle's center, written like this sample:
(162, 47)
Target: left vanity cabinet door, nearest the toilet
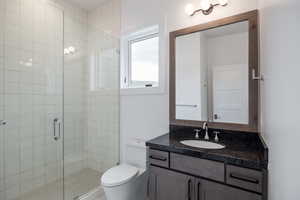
(169, 185)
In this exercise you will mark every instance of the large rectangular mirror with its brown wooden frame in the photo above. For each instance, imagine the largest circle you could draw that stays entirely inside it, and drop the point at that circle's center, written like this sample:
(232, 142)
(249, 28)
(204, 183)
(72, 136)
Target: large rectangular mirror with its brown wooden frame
(213, 74)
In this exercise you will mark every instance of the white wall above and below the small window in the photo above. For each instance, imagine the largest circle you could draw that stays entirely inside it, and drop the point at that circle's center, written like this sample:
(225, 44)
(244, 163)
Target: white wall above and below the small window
(142, 116)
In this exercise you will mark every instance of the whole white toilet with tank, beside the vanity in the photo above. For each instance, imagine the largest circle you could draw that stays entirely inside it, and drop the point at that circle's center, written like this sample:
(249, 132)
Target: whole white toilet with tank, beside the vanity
(128, 181)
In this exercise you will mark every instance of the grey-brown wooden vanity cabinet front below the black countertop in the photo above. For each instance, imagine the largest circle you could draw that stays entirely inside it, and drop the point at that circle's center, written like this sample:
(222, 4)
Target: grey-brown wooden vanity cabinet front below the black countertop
(179, 177)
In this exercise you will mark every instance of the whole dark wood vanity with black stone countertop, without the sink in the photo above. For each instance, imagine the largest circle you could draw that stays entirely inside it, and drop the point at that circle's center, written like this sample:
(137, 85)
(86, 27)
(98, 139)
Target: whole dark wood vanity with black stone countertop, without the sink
(178, 172)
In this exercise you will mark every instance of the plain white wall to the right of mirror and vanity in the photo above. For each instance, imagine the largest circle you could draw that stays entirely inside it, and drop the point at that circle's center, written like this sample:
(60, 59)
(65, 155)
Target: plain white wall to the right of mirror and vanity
(280, 94)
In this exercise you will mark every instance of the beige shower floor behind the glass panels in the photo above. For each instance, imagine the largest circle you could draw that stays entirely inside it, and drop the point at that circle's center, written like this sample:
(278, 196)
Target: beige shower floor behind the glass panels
(85, 181)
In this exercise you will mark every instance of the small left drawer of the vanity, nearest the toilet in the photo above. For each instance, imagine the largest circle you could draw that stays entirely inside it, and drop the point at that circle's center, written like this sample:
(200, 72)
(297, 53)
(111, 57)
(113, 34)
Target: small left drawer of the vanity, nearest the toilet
(159, 158)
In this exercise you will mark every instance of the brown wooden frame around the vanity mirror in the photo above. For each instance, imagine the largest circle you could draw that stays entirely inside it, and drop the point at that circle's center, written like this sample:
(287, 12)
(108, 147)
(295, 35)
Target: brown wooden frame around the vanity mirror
(253, 125)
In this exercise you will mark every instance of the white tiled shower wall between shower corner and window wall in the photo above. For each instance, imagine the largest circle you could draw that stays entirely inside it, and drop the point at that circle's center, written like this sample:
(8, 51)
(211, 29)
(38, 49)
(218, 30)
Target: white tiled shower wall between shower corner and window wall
(103, 102)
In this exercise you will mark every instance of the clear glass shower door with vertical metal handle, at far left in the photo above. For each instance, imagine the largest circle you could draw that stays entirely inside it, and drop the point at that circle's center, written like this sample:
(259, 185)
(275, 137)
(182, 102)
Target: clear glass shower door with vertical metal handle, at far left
(31, 100)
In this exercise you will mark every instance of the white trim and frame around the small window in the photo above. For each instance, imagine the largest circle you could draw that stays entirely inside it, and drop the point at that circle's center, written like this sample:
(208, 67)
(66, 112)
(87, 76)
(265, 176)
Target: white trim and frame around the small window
(125, 61)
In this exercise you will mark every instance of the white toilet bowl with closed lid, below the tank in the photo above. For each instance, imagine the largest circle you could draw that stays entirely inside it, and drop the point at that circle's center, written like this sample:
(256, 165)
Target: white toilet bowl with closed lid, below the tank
(125, 182)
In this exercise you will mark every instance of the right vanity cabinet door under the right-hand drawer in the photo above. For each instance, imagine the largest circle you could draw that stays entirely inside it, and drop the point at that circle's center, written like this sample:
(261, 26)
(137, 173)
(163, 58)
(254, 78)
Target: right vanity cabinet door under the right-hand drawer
(208, 190)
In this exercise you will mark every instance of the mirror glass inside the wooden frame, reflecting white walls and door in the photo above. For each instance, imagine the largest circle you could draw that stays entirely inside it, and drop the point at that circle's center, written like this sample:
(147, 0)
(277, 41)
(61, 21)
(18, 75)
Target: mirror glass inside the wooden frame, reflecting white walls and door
(212, 75)
